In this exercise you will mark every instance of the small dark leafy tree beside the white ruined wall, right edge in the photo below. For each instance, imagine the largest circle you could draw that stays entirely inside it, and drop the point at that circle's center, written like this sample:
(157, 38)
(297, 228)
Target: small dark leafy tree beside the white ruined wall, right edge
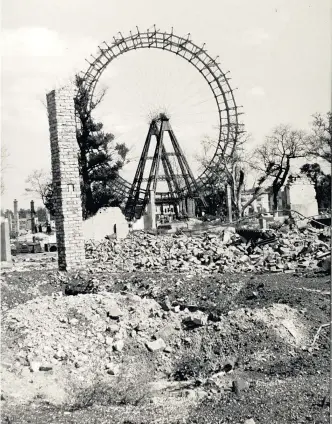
(322, 184)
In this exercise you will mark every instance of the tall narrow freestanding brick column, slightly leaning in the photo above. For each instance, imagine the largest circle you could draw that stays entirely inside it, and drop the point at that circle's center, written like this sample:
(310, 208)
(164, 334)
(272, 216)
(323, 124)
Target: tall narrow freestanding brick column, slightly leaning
(67, 193)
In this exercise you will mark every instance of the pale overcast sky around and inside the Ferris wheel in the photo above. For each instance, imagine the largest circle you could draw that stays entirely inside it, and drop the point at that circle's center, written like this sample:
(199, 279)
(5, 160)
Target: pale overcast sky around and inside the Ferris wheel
(277, 51)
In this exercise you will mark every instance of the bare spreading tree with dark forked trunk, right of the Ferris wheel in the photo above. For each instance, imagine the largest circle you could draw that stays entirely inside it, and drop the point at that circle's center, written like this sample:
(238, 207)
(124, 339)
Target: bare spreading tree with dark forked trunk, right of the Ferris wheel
(274, 156)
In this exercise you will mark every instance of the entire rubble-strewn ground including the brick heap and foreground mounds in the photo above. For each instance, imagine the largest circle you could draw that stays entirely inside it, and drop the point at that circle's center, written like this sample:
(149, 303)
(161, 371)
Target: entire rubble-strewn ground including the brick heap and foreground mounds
(176, 345)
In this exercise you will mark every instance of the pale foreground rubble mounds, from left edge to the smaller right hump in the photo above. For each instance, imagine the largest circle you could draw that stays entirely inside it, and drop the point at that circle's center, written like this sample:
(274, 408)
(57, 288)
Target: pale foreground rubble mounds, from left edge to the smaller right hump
(55, 340)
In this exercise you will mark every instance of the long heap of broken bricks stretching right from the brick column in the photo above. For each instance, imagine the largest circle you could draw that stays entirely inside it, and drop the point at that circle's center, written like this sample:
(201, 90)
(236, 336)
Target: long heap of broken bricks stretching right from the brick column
(284, 250)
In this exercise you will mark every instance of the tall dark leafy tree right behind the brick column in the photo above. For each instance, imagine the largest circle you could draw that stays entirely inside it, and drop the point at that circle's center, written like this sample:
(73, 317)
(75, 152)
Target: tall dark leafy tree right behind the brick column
(99, 159)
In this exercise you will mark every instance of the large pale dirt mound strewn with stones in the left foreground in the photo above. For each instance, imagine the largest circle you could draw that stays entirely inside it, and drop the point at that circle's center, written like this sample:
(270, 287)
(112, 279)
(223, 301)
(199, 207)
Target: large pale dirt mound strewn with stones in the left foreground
(58, 339)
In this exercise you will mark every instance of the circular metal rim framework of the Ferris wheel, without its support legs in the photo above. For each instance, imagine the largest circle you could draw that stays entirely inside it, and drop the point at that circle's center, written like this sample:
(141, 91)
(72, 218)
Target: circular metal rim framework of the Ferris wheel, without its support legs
(218, 81)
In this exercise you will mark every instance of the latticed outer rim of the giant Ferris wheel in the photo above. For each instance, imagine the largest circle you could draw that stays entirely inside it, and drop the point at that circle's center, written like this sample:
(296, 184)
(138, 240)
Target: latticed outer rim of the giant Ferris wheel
(150, 40)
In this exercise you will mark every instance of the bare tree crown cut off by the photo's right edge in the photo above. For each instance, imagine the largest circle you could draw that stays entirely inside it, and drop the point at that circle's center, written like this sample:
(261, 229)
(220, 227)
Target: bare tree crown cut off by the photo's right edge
(321, 137)
